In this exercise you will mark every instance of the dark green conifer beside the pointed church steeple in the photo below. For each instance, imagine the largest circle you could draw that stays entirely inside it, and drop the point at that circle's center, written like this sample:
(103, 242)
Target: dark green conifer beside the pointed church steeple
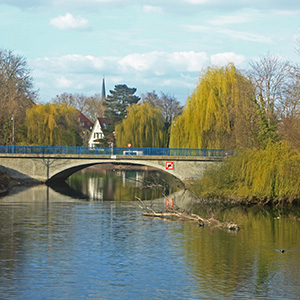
(116, 104)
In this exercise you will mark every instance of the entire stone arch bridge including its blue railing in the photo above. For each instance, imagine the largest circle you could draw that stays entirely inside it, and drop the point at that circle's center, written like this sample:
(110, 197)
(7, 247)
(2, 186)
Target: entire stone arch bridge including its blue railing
(49, 164)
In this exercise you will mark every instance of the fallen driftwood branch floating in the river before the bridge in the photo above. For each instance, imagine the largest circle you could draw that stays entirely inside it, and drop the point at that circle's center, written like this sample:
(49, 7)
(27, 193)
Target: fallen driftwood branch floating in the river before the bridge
(172, 214)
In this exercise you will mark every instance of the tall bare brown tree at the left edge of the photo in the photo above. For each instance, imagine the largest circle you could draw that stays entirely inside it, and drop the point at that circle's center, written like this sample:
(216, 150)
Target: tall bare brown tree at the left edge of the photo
(16, 92)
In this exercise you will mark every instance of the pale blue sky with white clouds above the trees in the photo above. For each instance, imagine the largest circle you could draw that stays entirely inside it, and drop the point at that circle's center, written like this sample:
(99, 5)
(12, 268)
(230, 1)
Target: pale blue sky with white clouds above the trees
(162, 46)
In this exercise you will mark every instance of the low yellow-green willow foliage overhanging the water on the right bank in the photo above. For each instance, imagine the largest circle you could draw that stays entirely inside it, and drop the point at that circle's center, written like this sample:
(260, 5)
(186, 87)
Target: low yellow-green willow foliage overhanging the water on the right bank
(270, 174)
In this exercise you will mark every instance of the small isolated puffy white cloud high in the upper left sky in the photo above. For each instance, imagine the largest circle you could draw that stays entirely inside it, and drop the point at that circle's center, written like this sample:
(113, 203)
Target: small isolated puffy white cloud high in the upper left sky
(69, 22)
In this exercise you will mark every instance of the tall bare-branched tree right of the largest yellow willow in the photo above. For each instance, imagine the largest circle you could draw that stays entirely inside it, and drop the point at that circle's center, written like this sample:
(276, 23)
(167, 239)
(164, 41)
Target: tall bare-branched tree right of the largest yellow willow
(277, 93)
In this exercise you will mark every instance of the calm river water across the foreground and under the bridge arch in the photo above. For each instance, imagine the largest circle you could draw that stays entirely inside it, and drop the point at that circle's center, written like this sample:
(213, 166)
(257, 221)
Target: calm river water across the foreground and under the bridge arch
(90, 241)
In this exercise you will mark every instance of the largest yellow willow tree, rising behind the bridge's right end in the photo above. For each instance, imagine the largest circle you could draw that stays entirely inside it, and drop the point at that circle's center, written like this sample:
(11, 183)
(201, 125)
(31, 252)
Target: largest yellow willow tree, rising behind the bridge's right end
(220, 113)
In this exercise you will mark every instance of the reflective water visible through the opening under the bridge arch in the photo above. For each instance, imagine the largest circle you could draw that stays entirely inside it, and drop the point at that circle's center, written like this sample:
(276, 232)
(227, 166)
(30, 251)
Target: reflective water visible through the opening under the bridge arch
(100, 184)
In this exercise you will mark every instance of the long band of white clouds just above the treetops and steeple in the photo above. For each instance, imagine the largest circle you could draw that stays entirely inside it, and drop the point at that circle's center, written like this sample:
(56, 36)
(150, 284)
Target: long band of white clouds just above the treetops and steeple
(175, 73)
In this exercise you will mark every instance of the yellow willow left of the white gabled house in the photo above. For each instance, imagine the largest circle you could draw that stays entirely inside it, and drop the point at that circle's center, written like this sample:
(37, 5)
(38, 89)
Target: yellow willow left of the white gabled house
(52, 125)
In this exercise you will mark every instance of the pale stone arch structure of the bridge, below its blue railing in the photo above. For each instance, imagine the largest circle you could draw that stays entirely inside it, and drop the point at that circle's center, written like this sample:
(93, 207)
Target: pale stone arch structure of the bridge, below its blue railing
(58, 167)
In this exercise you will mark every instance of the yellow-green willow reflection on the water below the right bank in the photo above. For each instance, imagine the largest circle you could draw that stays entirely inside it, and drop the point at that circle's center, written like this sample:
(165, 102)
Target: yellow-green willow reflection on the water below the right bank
(247, 262)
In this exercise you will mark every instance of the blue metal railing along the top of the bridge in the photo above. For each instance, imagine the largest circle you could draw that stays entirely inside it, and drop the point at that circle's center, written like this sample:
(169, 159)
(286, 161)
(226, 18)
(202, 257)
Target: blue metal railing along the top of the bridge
(112, 151)
